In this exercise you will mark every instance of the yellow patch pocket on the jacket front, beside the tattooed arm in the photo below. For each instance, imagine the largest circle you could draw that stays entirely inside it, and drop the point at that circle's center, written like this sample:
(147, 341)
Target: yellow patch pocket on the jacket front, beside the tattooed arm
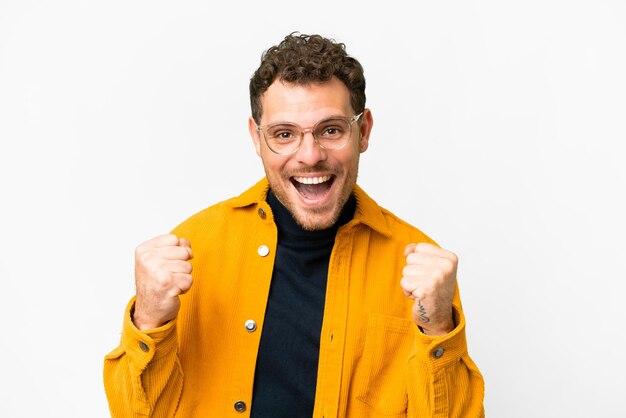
(381, 381)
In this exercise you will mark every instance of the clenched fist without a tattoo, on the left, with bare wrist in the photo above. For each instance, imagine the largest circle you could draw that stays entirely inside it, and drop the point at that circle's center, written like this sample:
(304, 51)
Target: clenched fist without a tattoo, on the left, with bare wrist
(162, 273)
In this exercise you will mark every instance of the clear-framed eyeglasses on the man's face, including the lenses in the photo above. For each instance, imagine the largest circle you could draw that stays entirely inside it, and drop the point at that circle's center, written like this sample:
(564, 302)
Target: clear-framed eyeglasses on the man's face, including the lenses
(285, 138)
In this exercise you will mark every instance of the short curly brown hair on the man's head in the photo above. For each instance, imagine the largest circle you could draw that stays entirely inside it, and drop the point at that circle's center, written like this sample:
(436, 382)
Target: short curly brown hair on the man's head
(303, 59)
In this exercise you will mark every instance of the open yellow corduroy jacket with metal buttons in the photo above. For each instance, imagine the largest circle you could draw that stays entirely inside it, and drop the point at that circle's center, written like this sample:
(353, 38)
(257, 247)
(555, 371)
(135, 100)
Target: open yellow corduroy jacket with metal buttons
(373, 360)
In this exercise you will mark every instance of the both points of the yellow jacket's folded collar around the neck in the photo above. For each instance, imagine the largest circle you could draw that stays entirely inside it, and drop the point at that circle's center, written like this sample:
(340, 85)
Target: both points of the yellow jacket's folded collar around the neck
(367, 210)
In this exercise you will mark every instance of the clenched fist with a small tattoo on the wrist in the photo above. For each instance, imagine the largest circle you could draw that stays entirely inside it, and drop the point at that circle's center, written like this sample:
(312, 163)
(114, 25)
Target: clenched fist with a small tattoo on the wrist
(429, 278)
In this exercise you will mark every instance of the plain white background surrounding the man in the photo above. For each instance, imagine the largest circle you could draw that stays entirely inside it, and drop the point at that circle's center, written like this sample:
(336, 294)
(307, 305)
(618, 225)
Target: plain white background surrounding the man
(499, 131)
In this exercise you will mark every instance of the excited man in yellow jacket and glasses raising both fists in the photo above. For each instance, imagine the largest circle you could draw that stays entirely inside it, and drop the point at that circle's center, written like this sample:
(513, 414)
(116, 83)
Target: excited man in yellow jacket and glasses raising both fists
(306, 298)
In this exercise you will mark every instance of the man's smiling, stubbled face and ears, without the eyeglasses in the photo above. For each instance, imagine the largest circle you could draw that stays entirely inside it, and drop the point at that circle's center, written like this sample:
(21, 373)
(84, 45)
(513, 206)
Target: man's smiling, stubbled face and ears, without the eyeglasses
(313, 183)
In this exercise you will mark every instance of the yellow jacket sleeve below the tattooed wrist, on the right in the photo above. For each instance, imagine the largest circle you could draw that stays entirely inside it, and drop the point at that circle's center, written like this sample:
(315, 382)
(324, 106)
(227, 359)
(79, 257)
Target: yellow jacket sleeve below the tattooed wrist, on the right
(442, 380)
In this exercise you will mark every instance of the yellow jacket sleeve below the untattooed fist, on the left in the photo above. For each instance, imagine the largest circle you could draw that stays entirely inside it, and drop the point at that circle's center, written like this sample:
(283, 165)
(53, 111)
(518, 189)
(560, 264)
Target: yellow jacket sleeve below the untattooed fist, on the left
(142, 376)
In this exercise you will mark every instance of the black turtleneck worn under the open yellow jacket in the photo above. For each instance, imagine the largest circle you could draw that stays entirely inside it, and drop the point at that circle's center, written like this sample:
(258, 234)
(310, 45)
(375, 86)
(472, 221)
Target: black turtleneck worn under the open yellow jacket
(286, 368)
